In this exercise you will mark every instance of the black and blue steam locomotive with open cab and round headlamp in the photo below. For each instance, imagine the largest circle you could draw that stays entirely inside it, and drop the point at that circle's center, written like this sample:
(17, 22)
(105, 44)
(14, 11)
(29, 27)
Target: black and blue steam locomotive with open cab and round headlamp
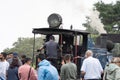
(74, 42)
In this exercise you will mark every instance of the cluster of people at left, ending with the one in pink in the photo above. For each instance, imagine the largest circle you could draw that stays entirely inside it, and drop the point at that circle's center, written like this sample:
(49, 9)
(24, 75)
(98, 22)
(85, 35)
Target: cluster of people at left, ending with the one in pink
(14, 68)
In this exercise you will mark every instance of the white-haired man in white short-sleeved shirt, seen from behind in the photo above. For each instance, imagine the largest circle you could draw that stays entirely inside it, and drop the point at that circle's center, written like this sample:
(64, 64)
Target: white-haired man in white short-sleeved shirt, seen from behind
(91, 68)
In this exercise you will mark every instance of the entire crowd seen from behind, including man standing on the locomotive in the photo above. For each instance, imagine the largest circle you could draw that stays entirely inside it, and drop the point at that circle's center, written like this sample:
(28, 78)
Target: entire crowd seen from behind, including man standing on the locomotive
(14, 68)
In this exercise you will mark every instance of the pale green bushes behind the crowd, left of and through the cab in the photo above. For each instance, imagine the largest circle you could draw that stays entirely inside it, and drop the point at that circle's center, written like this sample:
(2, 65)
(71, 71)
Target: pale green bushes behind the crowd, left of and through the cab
(25, 46)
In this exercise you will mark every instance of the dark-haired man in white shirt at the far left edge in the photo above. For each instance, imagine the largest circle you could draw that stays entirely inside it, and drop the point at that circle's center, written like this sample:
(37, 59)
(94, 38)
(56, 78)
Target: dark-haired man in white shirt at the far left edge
(4, 65)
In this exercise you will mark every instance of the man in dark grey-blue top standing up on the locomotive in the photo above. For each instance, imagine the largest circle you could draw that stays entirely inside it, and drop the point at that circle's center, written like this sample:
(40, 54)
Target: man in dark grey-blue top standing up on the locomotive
(51, 47)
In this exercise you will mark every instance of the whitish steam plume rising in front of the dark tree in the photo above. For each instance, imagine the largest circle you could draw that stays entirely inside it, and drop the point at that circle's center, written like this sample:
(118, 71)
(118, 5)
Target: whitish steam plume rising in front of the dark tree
(96, 22)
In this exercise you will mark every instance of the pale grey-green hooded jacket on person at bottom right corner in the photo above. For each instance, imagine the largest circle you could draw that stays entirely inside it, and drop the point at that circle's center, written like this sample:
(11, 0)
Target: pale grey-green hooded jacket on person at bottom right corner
(112, 72)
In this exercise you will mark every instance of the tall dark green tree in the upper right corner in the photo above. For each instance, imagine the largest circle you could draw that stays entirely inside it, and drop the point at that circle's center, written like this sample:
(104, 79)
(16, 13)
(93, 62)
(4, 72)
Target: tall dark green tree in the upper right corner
(109, 15)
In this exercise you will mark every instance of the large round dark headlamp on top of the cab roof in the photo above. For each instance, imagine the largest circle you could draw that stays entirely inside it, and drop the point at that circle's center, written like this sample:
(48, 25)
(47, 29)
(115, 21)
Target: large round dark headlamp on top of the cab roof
(54, 20)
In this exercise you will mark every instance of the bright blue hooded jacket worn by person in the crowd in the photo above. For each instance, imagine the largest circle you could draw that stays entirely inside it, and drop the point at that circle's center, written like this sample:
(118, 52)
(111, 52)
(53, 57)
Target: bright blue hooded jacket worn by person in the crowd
(46, 71)
